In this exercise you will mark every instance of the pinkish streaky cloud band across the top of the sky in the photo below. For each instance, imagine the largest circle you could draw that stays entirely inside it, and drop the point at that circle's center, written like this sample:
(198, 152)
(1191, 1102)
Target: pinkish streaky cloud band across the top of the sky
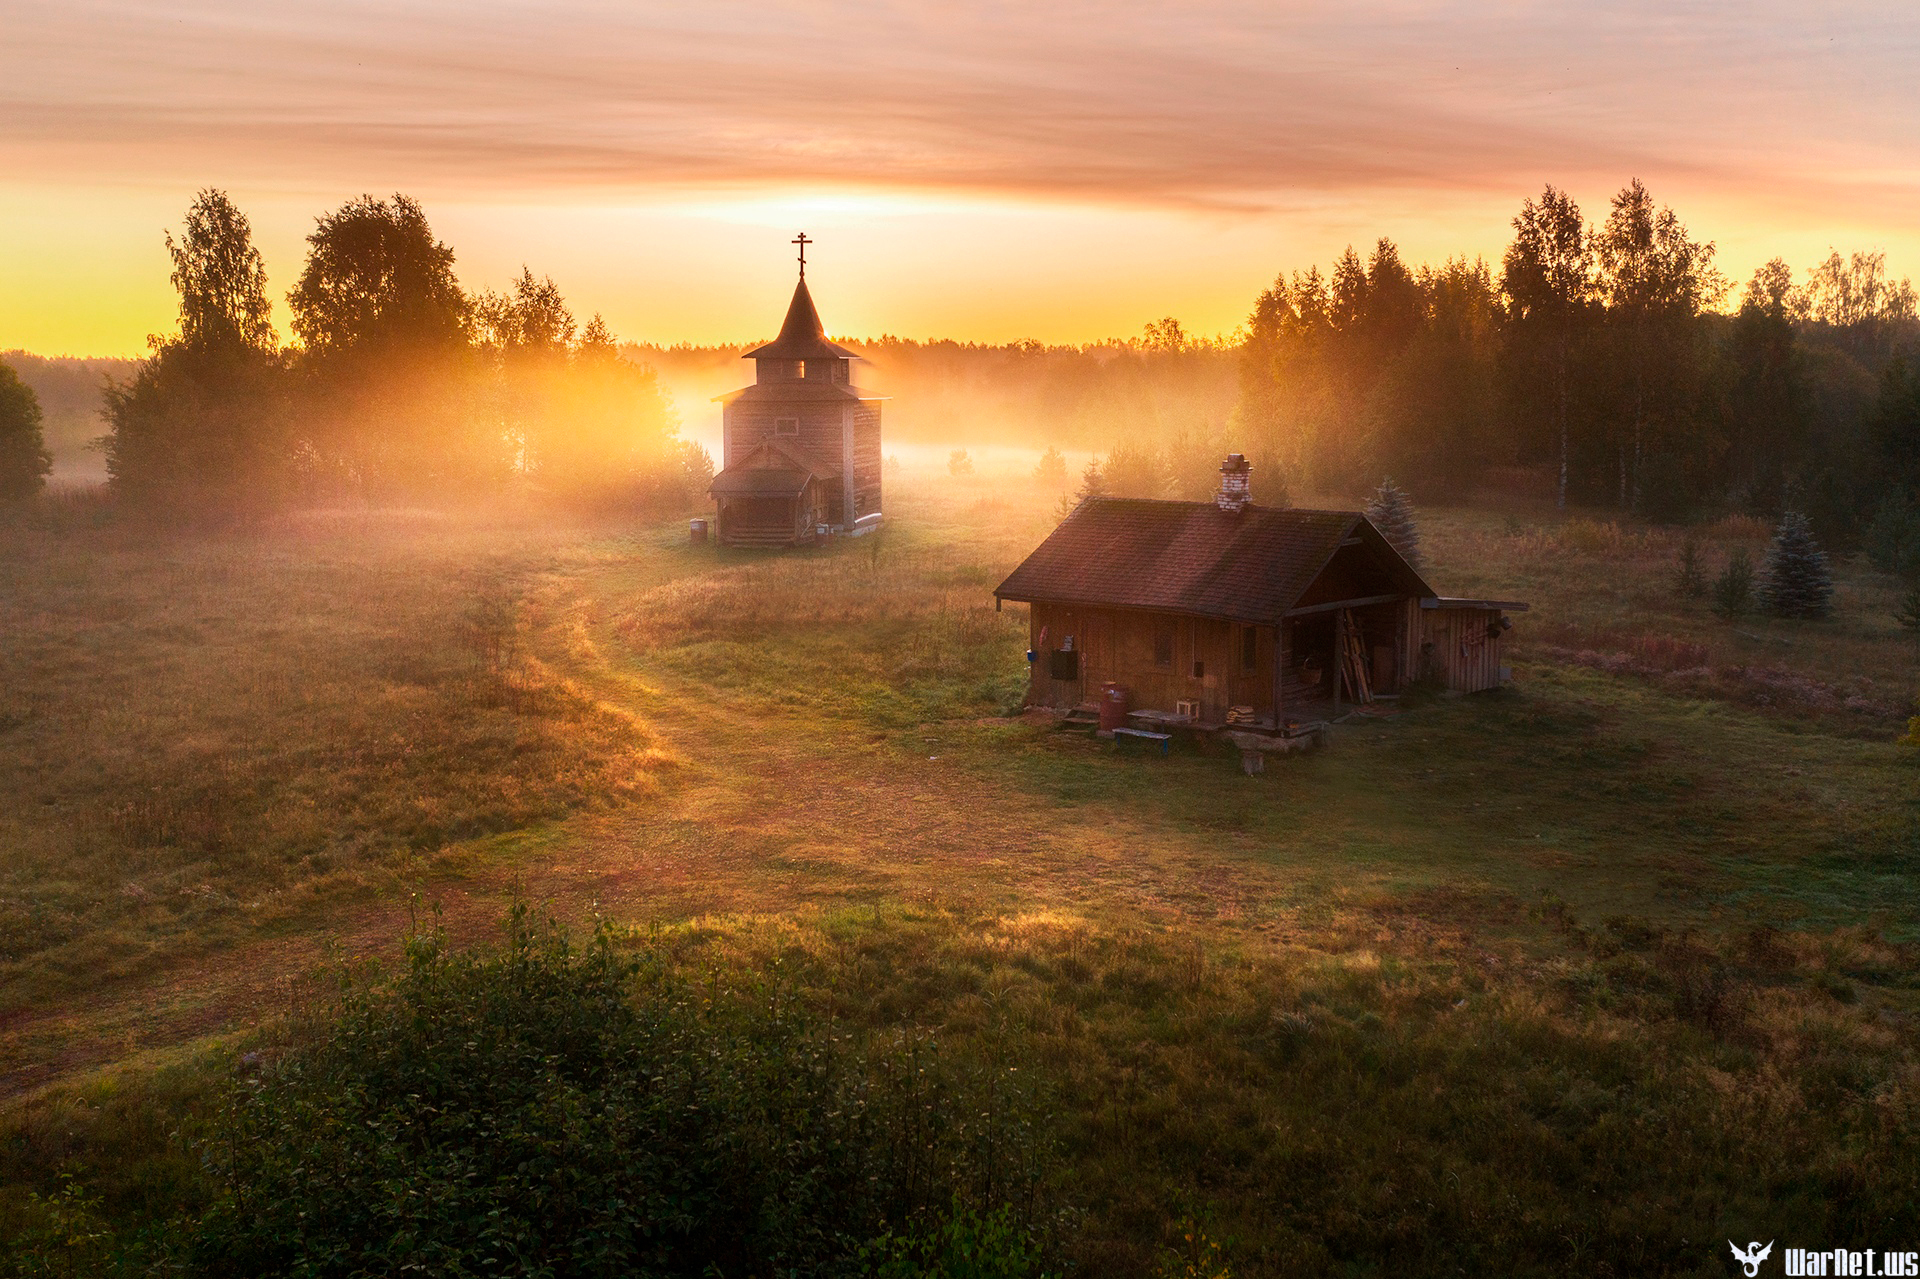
(1191, 105)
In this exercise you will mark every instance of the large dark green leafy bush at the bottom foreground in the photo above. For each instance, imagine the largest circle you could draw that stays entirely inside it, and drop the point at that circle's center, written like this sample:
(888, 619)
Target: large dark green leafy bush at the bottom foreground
(550, 1109)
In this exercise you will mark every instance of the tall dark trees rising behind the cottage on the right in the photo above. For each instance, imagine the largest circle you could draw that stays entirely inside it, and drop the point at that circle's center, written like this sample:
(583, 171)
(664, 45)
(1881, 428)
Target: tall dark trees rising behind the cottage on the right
(1596, 360)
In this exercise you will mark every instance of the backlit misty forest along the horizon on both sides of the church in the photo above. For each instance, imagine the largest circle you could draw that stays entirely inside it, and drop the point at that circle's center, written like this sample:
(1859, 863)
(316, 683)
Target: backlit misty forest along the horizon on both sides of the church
(1593, 366)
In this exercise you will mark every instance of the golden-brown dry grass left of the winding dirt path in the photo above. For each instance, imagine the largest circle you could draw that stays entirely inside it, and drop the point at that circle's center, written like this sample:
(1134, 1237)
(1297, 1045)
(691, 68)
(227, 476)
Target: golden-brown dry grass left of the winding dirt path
(204, 731)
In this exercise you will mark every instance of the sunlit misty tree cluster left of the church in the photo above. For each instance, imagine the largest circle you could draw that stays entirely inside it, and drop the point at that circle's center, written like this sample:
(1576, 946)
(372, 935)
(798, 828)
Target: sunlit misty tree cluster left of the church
(400, 385)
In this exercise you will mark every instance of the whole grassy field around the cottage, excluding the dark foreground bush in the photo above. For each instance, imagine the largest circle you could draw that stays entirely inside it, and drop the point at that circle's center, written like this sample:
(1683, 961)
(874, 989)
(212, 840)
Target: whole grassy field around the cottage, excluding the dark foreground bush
(1583, 977)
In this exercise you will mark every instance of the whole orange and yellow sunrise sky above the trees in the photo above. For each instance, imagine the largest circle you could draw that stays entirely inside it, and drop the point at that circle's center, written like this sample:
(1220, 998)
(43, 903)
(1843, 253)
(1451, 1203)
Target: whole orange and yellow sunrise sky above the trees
(1063, 172)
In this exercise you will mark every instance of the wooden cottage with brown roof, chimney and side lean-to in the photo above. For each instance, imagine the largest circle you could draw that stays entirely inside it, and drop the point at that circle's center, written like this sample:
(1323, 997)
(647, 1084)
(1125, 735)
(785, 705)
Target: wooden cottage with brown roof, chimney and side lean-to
(1232, 612)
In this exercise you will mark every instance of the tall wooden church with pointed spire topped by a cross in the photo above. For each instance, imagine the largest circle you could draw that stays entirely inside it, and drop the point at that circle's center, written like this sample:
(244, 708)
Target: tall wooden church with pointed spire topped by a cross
(802, 446)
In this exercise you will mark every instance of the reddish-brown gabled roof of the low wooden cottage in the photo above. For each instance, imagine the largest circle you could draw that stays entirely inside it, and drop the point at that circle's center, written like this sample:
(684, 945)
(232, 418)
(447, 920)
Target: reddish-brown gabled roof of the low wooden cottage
(1193, 558)
